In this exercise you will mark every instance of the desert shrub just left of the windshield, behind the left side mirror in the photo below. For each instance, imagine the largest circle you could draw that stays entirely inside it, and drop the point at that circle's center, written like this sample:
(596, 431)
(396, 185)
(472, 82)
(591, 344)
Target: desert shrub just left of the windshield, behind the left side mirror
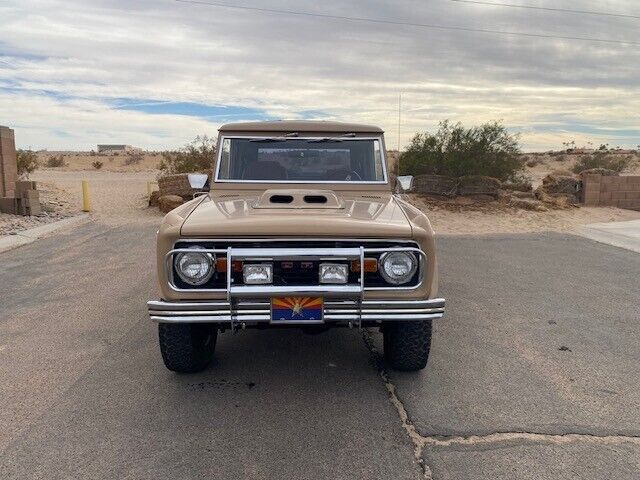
(197, 156)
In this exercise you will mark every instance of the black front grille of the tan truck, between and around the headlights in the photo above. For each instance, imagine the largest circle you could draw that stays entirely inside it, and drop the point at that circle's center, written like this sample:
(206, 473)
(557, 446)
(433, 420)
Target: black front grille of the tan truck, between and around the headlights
(294, 273)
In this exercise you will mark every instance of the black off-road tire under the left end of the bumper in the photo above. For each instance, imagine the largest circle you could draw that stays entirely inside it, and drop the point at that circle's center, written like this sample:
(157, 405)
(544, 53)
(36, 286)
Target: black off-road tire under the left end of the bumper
(187, 347)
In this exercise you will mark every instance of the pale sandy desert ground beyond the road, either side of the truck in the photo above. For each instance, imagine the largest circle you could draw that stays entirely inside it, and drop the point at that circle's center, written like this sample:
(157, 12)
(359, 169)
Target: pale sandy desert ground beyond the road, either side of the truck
(118, 191)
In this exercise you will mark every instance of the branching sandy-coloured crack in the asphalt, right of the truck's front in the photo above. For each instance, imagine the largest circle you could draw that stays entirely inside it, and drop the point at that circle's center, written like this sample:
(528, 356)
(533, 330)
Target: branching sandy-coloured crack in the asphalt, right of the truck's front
(420, 441)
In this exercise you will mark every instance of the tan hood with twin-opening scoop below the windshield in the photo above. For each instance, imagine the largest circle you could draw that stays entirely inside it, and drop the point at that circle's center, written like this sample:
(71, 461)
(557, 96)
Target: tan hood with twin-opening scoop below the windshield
(253, 214)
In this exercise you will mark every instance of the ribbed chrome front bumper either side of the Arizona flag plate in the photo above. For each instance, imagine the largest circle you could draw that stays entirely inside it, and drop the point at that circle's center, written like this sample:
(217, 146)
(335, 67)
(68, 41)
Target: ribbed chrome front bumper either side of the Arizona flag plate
(254, 312)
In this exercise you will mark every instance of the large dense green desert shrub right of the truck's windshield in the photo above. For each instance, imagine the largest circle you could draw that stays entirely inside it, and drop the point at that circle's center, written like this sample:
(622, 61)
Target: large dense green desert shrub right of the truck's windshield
(487, 150)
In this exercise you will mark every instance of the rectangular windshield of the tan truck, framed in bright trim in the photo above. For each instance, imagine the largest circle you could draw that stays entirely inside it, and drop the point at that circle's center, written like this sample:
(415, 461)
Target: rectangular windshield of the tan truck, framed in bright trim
(301, 160)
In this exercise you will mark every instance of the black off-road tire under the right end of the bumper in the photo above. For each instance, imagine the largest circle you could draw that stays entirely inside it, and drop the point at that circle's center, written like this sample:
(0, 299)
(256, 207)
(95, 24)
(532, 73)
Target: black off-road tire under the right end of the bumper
(407, 344)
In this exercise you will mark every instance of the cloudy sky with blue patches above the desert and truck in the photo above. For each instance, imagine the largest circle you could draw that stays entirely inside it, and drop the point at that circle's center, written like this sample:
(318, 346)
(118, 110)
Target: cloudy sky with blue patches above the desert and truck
(156, 73)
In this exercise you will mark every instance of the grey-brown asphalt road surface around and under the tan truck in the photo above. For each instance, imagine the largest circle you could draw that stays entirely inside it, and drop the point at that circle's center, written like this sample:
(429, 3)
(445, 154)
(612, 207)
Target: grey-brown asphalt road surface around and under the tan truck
(535, 373)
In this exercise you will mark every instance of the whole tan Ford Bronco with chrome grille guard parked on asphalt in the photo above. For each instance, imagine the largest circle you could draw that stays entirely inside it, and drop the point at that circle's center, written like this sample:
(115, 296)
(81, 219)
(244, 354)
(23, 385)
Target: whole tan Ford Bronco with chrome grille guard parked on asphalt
(299, 227)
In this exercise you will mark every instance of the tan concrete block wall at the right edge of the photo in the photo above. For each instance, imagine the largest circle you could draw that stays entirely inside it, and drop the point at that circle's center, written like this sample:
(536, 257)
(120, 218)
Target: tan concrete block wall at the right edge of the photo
(621, 192)
